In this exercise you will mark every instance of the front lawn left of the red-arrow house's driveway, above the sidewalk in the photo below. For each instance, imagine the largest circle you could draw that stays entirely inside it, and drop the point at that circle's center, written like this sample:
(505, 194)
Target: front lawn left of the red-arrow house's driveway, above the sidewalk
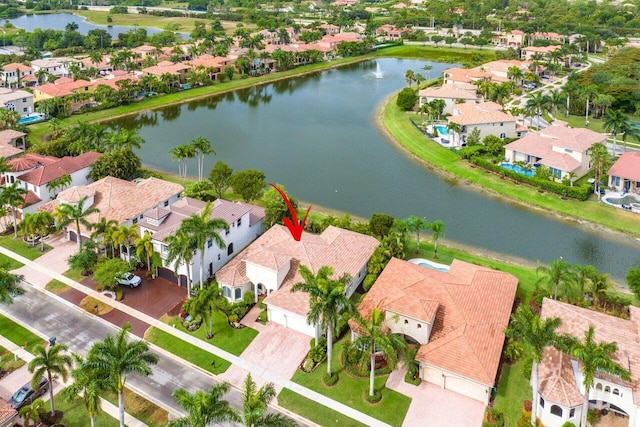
(224, 336)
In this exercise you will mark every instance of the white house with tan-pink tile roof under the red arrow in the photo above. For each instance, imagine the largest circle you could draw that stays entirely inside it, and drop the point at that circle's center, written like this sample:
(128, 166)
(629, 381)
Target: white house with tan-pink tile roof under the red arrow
(270, 265)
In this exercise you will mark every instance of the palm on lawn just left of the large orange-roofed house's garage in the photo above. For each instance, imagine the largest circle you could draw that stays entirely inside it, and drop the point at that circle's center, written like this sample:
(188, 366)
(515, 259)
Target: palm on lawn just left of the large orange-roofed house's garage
(374, 339)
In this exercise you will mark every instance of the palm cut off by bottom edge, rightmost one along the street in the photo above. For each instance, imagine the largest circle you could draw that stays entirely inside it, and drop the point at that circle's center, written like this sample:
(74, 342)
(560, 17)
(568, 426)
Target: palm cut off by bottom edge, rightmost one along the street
(254, 406)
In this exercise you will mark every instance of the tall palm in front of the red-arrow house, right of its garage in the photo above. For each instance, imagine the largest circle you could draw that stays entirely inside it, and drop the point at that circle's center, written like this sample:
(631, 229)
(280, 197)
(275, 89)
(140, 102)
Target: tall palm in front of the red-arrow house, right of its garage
(327, 300)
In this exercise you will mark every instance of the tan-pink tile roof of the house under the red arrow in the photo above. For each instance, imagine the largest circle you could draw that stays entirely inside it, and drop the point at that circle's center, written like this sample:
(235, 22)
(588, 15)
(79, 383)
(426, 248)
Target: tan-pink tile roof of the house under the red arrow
(345, 251)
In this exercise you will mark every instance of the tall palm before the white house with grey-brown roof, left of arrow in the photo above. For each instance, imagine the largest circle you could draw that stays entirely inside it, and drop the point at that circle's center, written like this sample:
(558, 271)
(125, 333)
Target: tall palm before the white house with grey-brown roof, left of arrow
(201, 227)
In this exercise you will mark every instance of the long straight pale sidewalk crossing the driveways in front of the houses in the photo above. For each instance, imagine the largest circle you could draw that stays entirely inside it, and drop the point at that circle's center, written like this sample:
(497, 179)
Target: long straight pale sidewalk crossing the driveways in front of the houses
(252, 368)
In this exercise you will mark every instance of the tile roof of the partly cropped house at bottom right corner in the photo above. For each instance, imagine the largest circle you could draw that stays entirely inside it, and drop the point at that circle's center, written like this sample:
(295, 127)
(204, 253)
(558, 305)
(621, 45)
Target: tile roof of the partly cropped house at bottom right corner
(575, 321)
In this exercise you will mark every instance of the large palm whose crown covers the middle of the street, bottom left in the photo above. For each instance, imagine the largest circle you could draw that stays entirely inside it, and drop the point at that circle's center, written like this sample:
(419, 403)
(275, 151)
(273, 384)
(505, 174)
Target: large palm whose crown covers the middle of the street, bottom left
(115, 357)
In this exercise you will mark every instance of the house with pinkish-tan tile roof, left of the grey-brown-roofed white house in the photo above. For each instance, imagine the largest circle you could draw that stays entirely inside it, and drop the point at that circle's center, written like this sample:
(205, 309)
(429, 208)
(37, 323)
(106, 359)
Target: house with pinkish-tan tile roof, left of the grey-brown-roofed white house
(125, 202)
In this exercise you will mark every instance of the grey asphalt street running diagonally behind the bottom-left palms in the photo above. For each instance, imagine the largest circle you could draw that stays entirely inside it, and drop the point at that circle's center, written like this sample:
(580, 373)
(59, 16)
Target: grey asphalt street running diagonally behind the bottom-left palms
(79, 331)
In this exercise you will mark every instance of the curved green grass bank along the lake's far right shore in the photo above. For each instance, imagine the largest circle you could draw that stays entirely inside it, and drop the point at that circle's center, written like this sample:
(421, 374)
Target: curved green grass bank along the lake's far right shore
(398, 124)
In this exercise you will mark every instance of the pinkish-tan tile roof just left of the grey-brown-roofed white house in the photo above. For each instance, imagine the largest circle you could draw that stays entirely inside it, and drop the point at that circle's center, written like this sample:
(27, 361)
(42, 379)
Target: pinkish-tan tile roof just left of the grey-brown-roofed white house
(118, 199)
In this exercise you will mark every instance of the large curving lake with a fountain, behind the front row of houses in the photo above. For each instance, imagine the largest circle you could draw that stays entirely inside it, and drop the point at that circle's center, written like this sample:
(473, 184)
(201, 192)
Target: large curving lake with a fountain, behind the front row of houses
(317, 135)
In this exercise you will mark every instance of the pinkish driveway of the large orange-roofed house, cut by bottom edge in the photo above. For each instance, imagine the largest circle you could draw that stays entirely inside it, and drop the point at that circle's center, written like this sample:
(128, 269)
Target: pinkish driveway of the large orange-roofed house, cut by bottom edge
(442, 408)
